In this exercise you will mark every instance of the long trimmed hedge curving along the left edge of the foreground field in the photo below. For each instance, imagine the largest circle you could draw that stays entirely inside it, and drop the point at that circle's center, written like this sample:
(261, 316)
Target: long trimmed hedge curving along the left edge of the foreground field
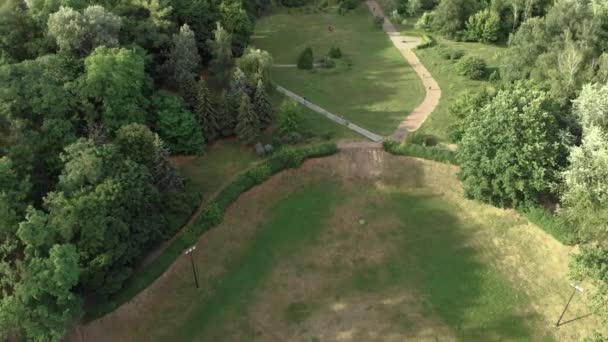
(211, 216)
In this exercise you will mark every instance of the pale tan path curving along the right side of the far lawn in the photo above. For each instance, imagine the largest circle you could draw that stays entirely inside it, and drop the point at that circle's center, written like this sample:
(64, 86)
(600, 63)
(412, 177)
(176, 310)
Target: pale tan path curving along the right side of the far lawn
(405, 44)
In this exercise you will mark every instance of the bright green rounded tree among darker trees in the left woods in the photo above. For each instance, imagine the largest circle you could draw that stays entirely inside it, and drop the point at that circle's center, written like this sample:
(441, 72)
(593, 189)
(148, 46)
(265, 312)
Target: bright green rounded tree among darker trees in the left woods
(113, 82)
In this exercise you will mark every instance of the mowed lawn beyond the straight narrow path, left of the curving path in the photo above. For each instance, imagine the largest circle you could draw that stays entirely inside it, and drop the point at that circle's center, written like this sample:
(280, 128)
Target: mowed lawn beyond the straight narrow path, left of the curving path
(376, 92)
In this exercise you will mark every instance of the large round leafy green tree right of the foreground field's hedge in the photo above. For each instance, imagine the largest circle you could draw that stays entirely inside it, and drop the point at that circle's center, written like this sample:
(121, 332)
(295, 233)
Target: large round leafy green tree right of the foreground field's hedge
(511, 150)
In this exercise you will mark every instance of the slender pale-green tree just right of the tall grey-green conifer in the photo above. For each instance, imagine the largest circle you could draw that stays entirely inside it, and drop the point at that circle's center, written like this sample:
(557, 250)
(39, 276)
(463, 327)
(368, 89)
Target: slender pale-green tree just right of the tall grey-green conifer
(221, 50)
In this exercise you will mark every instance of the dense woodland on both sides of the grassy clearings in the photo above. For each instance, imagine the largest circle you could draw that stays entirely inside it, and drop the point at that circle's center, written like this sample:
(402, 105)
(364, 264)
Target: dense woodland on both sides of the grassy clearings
(97, 95)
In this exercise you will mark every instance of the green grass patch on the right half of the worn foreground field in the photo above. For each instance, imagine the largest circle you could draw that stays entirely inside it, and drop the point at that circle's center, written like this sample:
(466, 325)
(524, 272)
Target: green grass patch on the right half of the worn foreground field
(435, 256)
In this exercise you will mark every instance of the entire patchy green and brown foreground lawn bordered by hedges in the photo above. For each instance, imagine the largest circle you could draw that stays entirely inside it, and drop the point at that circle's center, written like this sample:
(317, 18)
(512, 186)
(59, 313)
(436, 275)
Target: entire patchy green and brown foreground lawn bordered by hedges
(292, 262)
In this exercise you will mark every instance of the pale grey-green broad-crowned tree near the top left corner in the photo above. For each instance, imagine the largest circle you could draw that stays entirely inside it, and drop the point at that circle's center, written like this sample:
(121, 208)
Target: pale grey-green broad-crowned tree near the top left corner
(83, 32)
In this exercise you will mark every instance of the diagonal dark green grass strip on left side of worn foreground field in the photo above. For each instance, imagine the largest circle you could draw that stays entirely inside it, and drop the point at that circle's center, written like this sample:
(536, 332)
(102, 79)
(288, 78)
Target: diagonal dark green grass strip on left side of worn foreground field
(293, 223)
